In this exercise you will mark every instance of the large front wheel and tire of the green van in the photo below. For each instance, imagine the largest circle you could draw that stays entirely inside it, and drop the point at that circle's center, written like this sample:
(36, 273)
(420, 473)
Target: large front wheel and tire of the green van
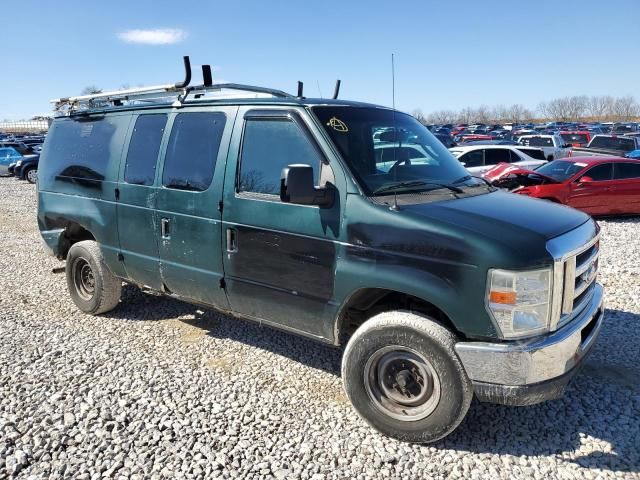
(402, 375)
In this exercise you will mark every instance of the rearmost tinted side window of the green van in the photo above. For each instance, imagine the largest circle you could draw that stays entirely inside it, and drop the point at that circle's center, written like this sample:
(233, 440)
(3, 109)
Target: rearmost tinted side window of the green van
(82, 147)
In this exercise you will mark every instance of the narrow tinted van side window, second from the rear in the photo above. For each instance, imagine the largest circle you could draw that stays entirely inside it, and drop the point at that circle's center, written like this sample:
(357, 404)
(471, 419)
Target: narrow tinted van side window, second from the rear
(143, 149)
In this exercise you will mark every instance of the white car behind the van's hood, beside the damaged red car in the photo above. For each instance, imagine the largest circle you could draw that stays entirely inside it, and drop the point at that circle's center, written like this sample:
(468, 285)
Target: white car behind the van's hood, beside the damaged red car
(481, 158)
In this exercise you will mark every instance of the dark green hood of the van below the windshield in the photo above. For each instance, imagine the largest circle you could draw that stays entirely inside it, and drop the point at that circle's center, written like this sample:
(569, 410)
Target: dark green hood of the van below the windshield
(501, 215)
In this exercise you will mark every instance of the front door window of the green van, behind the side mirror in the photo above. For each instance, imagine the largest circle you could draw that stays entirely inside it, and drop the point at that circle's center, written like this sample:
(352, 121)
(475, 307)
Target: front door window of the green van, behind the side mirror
(268, 146)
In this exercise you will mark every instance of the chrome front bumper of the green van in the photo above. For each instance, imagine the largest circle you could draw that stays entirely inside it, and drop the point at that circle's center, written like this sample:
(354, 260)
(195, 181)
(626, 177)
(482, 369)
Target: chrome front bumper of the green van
(532, 371)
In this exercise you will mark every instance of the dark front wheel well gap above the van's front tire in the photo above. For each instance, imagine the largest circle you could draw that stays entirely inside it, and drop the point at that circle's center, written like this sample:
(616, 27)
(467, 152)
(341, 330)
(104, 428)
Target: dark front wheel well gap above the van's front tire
(367, 303)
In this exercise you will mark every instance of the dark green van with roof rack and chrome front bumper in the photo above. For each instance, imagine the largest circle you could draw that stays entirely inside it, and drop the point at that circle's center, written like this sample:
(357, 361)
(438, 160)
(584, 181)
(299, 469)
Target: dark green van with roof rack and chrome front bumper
(345, 222)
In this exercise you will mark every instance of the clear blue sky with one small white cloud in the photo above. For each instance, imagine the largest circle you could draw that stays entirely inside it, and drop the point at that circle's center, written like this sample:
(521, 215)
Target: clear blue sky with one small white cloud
(449, 55)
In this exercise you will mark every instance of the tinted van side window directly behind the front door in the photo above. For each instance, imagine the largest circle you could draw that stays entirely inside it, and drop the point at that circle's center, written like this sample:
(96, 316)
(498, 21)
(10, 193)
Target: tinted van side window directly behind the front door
(192, 150)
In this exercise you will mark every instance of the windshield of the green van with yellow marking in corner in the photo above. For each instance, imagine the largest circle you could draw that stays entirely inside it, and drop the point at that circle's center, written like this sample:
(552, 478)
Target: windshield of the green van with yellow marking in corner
(384, 150)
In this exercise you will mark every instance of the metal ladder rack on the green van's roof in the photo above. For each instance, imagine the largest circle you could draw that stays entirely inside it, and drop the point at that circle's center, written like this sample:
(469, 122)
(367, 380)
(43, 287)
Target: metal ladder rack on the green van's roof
(177, 92)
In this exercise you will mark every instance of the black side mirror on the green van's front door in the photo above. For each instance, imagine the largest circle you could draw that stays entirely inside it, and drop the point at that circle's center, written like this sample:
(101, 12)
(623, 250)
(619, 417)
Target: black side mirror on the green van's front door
(296, 186)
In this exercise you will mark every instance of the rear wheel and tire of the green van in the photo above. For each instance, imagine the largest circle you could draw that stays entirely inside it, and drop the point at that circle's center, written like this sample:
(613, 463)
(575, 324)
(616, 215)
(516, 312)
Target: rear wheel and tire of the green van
(92, 286)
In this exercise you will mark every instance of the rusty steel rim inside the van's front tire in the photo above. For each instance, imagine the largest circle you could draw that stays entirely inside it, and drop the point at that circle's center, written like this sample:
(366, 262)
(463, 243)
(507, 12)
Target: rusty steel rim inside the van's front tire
(402, 383)
